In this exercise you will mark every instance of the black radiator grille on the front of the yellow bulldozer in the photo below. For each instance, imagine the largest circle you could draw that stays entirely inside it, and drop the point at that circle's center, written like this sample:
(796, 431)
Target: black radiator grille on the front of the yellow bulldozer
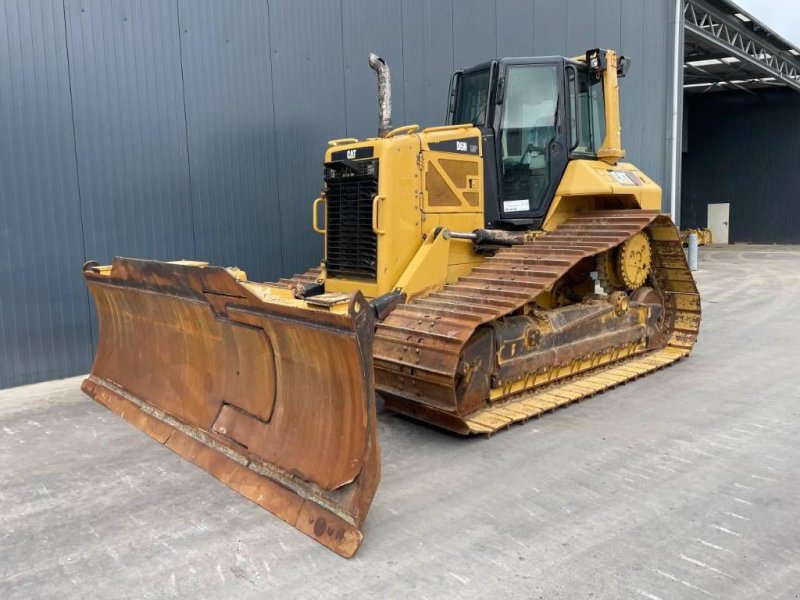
(352, 246)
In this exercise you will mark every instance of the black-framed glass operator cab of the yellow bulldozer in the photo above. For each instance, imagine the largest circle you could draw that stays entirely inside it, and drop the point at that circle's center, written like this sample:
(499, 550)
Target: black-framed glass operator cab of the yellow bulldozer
(535, 114)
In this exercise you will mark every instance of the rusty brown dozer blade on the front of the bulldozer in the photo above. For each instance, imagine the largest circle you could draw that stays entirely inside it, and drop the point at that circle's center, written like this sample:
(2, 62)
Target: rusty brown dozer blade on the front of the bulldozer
(272, 397)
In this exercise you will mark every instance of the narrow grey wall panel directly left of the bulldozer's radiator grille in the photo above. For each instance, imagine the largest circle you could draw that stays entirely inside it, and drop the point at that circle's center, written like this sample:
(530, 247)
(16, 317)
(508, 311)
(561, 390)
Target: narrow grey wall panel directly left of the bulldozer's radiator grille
(308, 88)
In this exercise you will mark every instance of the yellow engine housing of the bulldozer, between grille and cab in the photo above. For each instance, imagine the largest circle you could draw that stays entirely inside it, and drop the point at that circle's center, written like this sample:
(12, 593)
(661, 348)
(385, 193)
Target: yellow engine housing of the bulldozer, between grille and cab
(427, 180)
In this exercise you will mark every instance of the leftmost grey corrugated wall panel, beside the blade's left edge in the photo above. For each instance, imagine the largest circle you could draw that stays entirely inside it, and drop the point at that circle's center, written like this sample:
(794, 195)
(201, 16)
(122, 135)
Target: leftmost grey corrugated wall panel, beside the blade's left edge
(44, 316)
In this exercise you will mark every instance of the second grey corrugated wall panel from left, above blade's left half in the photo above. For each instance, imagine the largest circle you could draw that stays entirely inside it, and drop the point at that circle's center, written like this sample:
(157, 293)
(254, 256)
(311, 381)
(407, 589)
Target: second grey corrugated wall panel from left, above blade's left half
(130, 128)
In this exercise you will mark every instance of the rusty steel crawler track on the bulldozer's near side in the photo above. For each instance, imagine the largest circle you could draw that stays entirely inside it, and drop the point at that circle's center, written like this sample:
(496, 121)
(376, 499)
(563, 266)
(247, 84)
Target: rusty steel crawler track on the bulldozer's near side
(418, 347)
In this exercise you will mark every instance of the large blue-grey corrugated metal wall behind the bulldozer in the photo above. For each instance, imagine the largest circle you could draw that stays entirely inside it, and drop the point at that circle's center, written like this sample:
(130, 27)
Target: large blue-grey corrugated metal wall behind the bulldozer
(195, 128)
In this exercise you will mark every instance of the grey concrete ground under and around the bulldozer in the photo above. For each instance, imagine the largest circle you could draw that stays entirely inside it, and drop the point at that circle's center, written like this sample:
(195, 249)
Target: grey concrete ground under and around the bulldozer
(684, 484)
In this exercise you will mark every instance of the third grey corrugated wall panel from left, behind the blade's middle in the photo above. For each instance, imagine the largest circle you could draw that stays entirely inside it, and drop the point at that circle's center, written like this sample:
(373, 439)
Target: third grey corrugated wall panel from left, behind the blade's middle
(231, 134)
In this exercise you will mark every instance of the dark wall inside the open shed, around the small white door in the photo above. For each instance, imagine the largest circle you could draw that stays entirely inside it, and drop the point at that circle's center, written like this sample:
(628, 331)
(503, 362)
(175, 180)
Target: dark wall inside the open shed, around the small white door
(743, 149)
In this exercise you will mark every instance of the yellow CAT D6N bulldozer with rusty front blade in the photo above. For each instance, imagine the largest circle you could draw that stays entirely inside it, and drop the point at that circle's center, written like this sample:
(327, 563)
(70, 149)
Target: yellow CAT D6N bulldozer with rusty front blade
(475, 275)
